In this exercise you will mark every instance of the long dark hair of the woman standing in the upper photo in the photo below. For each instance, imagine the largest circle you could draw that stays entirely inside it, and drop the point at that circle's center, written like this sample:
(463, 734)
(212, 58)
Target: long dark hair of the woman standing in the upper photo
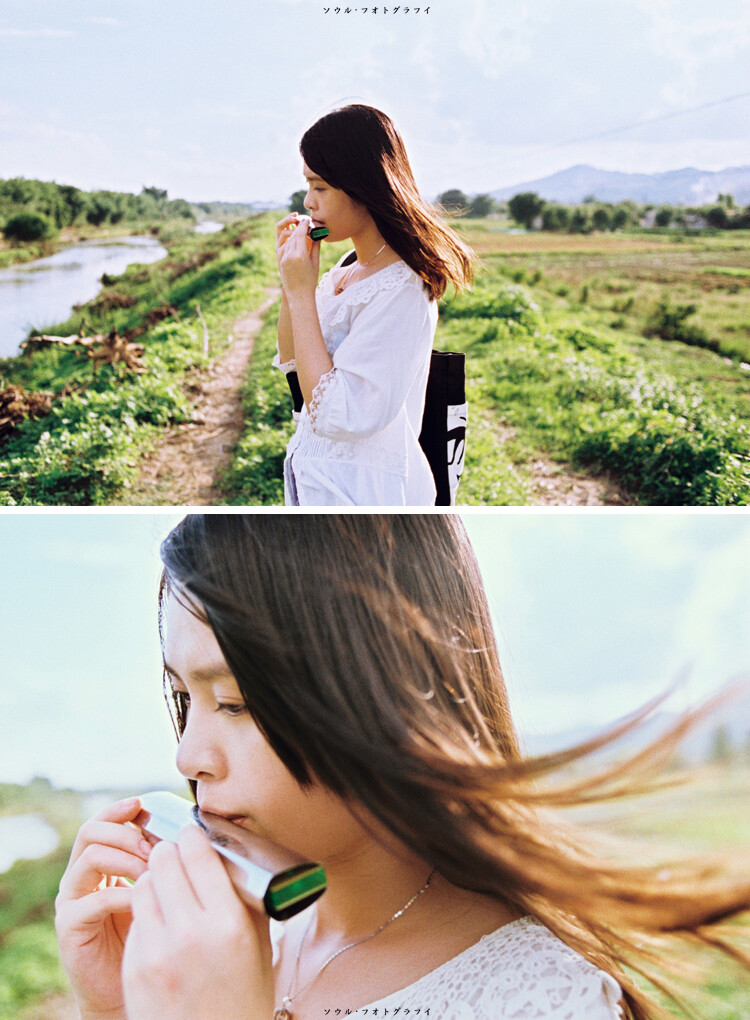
(358, 149)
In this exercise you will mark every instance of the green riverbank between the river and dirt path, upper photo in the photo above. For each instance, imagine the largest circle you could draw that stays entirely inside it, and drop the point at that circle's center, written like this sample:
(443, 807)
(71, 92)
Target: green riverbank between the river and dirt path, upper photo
(112, 401)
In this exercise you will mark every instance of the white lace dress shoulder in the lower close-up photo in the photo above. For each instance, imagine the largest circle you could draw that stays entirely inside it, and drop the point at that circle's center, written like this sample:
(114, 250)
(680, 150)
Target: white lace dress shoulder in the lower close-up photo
(520, 973)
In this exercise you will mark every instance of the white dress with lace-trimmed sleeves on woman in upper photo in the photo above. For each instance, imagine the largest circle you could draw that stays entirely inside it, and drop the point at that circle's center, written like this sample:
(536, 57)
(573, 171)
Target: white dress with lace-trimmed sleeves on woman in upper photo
(359, 444)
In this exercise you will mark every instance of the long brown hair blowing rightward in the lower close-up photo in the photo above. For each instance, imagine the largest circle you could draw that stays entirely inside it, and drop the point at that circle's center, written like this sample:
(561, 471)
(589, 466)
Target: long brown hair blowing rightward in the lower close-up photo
(364, 648)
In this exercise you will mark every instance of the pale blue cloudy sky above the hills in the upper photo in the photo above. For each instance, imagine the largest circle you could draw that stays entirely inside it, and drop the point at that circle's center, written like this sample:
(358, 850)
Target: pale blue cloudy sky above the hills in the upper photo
(210, 100)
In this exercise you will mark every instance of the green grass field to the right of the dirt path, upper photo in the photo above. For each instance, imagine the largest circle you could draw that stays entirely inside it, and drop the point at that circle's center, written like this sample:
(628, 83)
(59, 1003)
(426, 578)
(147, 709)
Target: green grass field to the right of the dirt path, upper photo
(559, 367)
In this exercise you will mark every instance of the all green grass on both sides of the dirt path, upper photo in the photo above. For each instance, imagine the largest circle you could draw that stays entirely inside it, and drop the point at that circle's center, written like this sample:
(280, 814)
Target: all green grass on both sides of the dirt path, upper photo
(621, 356)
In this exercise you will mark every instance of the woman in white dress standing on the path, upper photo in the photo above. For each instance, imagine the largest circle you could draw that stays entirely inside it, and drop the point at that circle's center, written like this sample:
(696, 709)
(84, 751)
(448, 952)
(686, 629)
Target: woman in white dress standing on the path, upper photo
(361, 340)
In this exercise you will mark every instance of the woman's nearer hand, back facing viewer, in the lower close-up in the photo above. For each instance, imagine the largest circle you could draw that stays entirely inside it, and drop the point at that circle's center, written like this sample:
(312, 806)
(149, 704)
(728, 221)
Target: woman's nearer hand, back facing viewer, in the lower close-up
(195, 952)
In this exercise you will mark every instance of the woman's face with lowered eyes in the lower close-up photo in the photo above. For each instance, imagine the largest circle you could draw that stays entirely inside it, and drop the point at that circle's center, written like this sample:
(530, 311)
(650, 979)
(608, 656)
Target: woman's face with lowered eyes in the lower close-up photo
(236, 773)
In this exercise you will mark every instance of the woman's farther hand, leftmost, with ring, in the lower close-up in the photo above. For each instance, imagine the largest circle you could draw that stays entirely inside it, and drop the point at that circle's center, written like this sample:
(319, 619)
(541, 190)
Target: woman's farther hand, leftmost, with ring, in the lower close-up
(93, 907)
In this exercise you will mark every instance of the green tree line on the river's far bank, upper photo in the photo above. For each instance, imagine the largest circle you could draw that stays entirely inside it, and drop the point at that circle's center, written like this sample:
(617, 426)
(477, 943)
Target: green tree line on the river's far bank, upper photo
(32, 211)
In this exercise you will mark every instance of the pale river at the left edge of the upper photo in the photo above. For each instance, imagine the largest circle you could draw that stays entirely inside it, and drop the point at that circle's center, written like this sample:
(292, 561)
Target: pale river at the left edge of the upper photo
(36, 295)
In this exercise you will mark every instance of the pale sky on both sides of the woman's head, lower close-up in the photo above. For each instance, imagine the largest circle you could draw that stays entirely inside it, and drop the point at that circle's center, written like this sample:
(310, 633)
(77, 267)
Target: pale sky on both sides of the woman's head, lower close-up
(595, 614)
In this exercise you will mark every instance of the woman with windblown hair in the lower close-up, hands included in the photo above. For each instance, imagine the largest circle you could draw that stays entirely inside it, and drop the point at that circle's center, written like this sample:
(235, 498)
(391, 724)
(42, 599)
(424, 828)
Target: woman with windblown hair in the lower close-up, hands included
(336, 689)
